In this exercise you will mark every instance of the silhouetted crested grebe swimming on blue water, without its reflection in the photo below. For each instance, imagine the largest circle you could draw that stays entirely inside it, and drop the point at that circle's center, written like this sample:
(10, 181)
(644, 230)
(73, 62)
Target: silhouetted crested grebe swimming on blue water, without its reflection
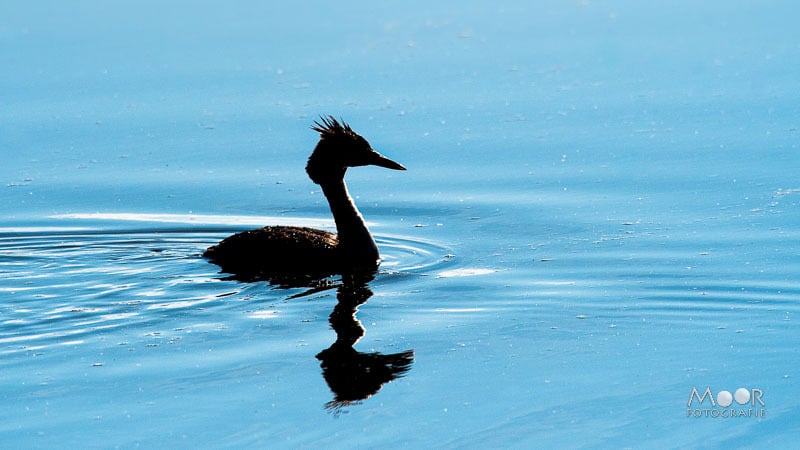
(306, 252)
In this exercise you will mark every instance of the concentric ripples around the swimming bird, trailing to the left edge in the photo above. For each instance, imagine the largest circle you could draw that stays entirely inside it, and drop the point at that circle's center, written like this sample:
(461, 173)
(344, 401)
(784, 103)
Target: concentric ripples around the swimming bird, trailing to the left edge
(67, 286)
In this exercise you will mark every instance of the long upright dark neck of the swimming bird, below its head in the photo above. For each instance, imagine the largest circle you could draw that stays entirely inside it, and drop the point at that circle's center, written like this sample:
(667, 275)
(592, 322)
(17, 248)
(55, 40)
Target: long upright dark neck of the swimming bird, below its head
(355, 241)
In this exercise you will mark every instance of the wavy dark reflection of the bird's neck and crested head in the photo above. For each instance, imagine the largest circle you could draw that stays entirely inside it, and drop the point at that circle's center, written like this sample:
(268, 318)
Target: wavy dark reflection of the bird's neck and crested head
(354, 376)
